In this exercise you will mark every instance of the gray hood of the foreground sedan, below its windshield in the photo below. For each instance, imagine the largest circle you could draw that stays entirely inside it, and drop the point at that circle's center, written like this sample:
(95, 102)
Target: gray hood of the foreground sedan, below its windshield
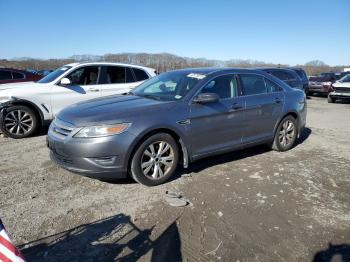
(111, 110)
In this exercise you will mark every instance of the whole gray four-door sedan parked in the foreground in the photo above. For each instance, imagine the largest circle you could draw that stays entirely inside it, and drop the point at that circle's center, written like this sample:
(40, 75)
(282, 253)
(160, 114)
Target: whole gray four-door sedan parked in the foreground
(178, 116)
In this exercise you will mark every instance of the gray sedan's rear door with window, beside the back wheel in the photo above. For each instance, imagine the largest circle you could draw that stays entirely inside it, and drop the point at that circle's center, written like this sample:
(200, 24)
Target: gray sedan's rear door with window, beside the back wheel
(263, 106)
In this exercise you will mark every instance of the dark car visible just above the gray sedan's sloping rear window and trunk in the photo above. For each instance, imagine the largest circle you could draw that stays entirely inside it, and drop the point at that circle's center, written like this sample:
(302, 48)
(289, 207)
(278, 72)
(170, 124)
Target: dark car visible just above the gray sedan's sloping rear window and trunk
(288, 76)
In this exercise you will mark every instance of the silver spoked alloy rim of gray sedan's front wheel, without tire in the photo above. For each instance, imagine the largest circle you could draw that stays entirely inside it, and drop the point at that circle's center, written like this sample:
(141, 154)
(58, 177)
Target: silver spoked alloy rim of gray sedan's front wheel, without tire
(157, 160)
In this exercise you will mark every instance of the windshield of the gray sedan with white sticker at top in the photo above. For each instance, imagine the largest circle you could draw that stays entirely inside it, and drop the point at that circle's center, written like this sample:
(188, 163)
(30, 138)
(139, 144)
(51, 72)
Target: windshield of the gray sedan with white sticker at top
(168, 86)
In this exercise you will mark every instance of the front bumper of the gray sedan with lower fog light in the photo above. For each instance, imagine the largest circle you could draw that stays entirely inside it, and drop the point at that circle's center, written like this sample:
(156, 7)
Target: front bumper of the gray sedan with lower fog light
(101, 158)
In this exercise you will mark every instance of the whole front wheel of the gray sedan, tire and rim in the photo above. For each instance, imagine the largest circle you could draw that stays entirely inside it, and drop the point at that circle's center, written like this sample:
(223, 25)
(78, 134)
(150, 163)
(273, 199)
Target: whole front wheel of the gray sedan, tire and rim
(154, 172)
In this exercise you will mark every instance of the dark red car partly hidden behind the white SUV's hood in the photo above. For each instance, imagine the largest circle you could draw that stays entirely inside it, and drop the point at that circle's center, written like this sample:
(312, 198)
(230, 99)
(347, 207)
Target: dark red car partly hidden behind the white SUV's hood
(10, 75)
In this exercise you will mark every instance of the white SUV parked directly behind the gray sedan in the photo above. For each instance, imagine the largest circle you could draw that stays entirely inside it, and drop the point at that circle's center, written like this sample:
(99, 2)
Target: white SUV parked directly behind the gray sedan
(25, 107)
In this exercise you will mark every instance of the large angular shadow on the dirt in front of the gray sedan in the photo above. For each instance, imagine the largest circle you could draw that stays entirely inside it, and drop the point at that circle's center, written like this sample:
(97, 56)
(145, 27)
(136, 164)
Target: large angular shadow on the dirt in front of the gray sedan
(114, 238)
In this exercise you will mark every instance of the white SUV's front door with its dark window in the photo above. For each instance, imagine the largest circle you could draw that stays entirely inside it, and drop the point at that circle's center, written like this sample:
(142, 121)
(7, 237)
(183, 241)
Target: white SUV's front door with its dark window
(84, 86)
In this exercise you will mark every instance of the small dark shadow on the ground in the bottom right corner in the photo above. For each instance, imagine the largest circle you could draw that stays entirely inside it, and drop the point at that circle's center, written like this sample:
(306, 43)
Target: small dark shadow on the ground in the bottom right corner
(339, 253)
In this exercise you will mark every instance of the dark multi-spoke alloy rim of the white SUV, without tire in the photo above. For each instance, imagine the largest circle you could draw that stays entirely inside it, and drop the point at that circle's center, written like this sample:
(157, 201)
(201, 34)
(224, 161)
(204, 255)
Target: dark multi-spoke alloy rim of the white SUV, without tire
(18, 122)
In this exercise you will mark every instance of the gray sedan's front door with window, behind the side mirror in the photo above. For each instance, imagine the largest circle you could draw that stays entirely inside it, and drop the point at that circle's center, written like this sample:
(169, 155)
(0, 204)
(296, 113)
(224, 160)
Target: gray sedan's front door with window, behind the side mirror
(217, 126)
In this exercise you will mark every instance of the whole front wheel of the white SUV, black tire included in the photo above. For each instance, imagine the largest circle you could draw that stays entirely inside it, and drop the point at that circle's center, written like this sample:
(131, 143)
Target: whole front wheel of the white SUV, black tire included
(19, 122)
